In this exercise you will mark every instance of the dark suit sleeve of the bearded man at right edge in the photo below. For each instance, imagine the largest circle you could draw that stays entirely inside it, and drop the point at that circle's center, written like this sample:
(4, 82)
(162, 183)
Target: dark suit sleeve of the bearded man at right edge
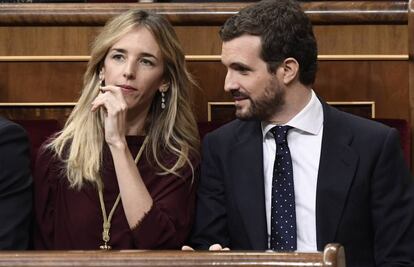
(392, 201)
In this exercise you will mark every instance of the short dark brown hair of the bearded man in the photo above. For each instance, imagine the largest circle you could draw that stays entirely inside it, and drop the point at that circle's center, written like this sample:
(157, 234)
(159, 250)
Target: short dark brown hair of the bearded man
(285, 31)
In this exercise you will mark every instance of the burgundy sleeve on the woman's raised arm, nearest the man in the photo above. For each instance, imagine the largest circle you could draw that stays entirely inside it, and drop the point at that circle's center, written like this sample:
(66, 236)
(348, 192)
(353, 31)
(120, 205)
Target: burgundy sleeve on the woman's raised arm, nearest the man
(168, 222)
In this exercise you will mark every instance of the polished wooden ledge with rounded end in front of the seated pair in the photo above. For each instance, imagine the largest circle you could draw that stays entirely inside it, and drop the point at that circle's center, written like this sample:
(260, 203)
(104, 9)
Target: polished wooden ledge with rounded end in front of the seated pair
(333, 255)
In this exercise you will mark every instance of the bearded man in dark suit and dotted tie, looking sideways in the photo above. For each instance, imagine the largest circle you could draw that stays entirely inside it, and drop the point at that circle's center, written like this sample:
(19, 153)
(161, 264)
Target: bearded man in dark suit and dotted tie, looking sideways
(350, 184)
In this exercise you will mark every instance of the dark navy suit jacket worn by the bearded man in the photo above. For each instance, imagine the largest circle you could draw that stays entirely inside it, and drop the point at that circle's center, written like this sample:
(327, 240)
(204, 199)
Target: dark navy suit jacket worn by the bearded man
(365, 192)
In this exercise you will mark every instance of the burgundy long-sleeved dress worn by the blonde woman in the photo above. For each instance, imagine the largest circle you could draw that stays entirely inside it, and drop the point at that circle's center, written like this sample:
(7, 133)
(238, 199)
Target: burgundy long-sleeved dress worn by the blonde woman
(68, 219)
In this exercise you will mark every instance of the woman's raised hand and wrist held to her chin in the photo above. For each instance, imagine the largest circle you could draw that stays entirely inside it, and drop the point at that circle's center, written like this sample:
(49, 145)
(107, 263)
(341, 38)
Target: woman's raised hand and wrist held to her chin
(112, 101)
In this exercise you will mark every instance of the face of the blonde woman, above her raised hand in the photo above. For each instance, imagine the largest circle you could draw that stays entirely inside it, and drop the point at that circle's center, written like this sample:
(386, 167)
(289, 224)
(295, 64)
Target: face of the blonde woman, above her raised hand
(135, 65)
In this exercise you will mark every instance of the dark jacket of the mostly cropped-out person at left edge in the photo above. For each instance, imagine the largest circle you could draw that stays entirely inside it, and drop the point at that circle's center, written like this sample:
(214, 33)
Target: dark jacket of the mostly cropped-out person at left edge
(15, 187)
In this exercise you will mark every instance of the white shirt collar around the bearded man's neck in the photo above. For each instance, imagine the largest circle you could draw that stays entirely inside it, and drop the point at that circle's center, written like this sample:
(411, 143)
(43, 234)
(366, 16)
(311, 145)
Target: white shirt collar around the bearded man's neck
(309, 119)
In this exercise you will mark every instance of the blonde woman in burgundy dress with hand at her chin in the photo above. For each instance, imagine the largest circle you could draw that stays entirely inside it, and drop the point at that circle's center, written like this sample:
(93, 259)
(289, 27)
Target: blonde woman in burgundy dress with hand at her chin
(120, 174)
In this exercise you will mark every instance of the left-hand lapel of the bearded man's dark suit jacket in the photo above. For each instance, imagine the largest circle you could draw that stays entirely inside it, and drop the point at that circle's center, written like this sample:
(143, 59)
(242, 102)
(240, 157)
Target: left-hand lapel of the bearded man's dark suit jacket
(247, 177)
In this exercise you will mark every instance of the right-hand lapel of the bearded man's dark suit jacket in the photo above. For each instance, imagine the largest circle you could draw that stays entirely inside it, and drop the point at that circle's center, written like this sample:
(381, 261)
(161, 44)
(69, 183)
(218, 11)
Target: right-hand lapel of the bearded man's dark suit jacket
(337, 167)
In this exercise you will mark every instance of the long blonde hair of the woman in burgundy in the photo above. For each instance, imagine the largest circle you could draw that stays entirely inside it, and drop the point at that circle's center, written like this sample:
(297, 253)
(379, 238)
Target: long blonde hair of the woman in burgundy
(172, 130)
